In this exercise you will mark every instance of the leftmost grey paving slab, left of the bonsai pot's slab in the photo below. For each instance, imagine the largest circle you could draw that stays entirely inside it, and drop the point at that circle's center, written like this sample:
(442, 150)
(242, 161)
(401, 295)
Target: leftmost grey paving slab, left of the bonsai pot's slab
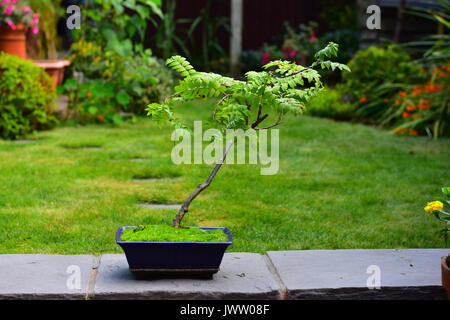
(44, 276)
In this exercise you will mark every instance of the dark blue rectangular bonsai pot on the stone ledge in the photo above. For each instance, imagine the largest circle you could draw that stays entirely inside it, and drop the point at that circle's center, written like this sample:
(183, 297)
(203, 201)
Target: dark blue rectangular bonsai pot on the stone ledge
(174, 258)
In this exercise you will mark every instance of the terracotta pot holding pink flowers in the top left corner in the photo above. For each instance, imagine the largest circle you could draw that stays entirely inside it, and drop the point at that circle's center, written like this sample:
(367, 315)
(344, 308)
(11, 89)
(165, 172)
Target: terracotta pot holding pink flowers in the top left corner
(13, 41)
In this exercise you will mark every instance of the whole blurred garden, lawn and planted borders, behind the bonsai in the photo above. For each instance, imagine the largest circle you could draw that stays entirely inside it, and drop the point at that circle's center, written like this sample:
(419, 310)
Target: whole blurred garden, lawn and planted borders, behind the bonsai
(355, 170)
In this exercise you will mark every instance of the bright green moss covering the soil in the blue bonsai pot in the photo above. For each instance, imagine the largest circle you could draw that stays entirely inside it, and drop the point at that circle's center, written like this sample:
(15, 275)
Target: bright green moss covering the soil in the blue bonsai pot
(164, 233)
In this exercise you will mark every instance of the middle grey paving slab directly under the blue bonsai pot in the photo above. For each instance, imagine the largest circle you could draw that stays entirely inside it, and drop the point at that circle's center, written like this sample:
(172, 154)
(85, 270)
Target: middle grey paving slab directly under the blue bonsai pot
(242, 276)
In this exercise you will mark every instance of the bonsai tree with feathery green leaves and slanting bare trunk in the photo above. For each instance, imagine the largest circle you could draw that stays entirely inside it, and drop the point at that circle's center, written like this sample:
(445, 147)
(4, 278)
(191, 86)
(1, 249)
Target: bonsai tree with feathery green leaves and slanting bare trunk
(283, 87)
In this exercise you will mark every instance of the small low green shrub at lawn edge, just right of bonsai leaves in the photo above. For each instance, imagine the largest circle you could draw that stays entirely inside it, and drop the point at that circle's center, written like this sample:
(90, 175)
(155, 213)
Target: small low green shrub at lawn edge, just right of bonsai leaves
(329, 104)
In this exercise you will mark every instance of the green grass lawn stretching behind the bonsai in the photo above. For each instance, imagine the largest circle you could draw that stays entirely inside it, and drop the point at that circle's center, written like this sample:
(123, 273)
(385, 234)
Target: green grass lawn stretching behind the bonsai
(340, 185)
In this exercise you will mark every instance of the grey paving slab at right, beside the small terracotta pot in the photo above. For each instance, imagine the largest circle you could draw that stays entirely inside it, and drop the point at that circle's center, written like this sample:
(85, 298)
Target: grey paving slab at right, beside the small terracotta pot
(343, 274)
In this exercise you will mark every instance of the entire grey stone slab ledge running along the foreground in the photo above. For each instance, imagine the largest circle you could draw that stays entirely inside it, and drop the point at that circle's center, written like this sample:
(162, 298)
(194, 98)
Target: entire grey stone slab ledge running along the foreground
(314, 274)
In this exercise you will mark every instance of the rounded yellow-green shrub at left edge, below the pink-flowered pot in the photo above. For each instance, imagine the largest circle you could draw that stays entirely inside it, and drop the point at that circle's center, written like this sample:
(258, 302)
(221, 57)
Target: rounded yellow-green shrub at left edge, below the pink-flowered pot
(26, 98)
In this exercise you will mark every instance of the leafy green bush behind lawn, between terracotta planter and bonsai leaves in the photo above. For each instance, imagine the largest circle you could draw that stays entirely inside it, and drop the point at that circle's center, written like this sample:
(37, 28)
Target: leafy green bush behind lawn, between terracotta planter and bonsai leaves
(129, 83)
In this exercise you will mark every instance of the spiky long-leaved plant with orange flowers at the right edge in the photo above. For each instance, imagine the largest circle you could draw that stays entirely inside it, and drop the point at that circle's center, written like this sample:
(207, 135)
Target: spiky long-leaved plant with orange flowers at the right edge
(425, 107)
